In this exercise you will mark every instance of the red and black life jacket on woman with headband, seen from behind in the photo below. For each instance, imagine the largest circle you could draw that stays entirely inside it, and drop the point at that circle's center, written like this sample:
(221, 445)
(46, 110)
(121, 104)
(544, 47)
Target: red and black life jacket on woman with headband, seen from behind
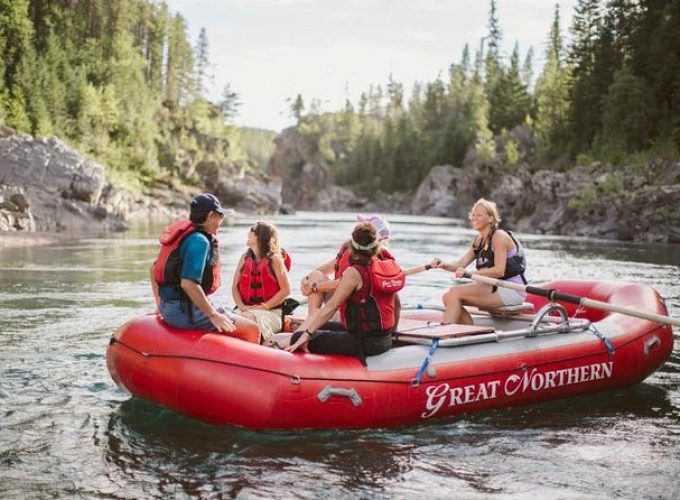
(371, 308)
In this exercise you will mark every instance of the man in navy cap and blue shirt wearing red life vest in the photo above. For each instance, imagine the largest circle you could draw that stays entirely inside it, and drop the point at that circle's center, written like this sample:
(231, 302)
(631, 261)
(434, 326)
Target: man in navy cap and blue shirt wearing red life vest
(187, 270)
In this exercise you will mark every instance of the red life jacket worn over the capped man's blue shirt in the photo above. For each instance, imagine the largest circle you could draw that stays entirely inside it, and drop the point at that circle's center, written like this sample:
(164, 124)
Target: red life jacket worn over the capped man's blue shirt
(168, 265)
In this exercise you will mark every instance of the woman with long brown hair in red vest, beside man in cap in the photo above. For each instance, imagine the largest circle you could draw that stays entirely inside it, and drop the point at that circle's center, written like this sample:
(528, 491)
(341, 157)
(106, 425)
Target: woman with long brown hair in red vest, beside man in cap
(261, 281)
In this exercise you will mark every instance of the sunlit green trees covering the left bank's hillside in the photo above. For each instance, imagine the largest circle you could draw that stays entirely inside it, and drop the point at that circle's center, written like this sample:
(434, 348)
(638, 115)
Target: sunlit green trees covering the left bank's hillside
(118, 80)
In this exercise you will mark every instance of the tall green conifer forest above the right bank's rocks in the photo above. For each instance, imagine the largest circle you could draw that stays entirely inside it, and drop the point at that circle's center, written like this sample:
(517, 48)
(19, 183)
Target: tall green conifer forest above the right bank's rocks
(612, 94)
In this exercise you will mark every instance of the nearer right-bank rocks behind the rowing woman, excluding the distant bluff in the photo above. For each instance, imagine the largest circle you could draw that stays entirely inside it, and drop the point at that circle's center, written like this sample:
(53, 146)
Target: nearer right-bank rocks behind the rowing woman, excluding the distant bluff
(598, 200)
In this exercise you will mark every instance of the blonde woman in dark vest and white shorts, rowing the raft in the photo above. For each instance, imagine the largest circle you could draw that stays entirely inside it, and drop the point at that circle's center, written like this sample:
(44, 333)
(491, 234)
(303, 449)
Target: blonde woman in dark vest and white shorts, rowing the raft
(497, 254)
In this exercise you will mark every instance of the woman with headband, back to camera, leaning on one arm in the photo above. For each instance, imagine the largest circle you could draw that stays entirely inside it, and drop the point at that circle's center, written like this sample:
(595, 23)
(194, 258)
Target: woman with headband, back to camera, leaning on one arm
(366, 298)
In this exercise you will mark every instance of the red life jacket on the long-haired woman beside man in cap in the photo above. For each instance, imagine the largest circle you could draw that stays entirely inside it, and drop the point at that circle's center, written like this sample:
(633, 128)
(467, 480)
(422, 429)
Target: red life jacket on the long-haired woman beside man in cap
(258, 282)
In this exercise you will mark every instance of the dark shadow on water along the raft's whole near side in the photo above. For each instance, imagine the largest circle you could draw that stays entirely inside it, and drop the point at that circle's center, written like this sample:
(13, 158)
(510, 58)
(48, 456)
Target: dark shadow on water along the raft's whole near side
(145, 441)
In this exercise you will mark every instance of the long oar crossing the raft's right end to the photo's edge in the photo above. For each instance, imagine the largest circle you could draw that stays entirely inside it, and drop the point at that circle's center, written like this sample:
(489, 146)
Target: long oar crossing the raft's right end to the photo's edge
(553, 294)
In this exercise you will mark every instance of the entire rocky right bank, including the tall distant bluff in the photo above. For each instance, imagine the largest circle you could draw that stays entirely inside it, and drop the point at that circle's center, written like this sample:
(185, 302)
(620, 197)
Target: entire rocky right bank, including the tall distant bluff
(597, 200)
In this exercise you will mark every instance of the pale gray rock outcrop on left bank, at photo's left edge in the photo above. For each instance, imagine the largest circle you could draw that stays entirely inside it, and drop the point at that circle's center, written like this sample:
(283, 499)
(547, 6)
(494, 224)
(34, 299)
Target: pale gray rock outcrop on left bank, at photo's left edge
(45, 185)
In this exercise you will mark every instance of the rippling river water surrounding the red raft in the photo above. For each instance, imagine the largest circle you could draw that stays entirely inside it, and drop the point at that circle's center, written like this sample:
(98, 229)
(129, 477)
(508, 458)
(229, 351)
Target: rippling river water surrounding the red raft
(66, 430)
